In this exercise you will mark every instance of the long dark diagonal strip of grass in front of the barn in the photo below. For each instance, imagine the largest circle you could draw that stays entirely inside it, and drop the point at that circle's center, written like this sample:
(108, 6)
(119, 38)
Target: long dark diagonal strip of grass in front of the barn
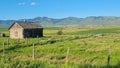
(50, 41)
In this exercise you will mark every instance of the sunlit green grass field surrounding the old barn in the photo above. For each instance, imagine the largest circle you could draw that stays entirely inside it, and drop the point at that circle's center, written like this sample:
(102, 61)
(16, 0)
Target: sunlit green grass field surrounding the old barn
(88, 48)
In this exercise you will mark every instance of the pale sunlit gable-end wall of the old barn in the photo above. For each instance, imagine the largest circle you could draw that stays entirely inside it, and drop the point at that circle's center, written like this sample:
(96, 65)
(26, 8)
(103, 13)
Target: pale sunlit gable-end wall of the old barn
(16, 31)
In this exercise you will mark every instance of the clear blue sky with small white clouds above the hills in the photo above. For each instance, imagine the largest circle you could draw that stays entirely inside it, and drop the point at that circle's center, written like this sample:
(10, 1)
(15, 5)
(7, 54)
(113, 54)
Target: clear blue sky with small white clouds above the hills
(22, 9)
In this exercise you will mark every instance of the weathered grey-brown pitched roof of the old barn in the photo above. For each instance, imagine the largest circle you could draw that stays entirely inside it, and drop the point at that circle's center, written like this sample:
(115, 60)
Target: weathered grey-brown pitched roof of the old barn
(27, 25)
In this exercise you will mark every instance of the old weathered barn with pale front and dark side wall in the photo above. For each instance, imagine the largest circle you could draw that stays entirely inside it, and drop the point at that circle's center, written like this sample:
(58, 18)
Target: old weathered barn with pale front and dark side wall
(24, 29)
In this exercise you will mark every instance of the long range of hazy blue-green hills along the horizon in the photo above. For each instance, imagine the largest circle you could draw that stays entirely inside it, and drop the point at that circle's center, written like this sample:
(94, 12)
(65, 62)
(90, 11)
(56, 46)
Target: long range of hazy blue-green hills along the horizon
(92, 20)
